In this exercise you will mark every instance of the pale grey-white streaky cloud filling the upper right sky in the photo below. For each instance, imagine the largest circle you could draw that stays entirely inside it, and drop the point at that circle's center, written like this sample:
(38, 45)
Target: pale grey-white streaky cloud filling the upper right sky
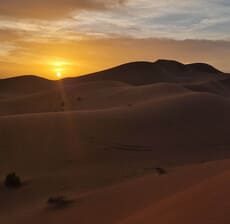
(175, 19)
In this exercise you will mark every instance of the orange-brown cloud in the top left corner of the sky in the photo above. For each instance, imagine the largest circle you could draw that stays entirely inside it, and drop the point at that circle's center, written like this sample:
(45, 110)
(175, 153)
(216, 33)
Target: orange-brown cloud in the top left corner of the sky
(51, 9)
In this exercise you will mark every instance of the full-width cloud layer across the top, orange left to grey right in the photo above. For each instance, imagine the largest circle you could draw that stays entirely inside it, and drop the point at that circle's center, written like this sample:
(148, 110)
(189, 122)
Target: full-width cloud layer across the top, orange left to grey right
(176, 19)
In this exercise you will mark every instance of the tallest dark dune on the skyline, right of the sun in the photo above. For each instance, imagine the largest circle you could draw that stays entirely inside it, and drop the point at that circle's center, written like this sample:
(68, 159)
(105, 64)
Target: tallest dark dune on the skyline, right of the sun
(142, 73)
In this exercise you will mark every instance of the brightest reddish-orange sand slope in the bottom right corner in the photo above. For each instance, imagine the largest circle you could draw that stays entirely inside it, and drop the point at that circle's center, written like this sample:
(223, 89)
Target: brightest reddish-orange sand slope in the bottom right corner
(206, 202)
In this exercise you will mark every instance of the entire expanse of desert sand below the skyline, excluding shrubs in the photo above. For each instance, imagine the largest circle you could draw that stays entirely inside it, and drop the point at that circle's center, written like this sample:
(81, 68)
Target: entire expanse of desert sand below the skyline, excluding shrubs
(98, 139)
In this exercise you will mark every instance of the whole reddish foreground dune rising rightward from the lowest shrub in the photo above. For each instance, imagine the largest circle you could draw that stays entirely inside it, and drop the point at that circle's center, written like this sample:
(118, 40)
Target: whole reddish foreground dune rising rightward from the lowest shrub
(182, 191)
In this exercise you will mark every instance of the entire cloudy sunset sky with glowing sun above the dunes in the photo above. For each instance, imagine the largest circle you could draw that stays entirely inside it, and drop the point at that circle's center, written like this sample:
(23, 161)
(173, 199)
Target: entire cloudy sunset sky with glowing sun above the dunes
(60, 38)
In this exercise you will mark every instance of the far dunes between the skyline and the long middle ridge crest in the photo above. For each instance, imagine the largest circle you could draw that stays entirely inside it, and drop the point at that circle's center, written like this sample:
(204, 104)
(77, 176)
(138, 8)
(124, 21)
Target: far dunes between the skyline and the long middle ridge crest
(110, 88)
